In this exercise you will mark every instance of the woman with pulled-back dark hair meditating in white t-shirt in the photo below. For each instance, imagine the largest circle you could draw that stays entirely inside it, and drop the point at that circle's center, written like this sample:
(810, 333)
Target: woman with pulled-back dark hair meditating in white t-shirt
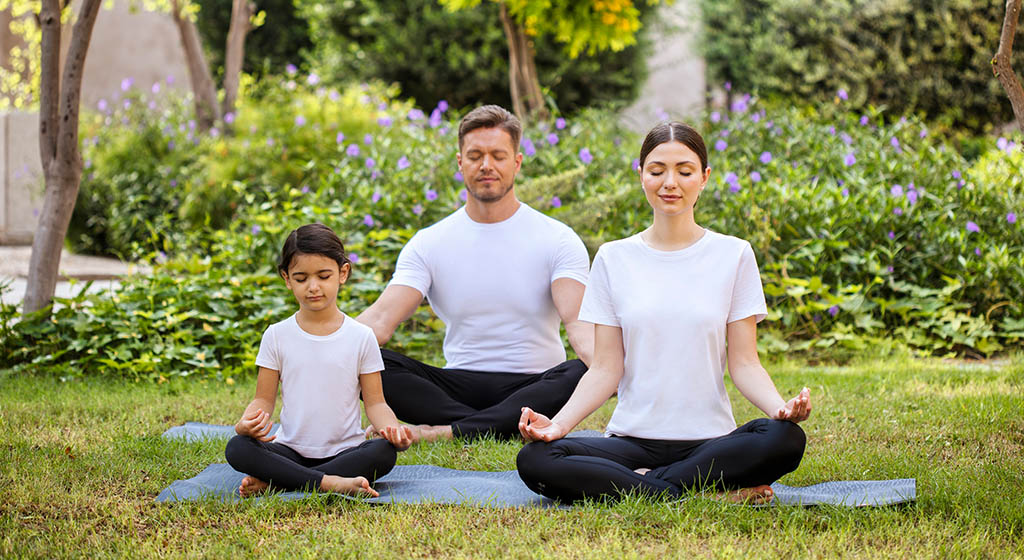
(670, 307)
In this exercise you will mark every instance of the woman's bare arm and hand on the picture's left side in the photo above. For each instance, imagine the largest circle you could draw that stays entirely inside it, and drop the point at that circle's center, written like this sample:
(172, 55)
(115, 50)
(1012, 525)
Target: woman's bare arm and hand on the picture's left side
(596, 386)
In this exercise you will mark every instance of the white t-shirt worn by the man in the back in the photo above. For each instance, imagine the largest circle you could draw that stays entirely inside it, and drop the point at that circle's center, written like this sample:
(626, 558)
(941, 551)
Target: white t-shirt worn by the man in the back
(491, 284)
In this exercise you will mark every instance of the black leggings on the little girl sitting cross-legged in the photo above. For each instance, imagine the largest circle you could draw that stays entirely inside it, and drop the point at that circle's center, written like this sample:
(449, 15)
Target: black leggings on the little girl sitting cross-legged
(284, 468)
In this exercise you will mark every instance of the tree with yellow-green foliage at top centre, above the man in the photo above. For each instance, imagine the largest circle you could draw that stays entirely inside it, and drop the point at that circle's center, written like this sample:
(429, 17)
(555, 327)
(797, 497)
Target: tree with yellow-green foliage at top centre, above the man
(590, 27)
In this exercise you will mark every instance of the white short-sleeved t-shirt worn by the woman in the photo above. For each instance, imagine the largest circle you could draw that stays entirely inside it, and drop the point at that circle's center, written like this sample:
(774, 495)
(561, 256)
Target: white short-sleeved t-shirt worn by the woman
(673, 308)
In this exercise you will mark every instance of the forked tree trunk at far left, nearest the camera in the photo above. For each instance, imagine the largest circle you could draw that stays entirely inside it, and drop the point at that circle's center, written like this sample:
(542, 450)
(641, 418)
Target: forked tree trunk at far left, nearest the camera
(59, 150)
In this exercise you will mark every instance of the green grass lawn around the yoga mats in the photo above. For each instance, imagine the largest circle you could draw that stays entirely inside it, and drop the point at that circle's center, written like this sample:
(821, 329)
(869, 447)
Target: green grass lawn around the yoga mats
(81, 463)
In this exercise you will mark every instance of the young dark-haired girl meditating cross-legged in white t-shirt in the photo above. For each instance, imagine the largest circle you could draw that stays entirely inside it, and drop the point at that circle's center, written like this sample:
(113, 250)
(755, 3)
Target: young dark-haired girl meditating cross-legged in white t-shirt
(323, 360)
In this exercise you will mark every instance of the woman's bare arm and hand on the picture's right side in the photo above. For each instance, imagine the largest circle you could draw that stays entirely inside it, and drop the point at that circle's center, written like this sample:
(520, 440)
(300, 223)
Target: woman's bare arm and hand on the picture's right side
(752, 379)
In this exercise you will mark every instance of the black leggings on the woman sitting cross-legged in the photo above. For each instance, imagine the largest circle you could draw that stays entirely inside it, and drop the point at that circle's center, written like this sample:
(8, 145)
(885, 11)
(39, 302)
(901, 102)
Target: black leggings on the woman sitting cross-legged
(577, 468)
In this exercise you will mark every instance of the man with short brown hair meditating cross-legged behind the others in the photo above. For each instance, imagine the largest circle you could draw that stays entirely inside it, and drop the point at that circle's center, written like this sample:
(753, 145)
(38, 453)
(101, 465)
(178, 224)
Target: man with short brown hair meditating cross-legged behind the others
(501, 276)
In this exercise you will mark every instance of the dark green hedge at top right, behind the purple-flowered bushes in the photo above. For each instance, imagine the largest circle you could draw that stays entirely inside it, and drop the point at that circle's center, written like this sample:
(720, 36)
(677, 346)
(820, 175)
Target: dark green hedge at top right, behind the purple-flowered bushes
(922, 58)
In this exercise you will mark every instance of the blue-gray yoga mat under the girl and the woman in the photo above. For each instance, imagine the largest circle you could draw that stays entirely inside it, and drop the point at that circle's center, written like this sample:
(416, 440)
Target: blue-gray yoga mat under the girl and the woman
(430, 485)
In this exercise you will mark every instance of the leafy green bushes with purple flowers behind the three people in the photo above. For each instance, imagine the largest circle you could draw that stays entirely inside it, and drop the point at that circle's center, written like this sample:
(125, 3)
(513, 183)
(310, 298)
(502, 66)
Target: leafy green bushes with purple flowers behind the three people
(869, 233)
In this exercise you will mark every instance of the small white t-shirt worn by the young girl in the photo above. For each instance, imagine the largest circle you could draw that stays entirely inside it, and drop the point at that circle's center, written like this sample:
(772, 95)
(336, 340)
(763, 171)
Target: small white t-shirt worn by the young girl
(320, 383)
